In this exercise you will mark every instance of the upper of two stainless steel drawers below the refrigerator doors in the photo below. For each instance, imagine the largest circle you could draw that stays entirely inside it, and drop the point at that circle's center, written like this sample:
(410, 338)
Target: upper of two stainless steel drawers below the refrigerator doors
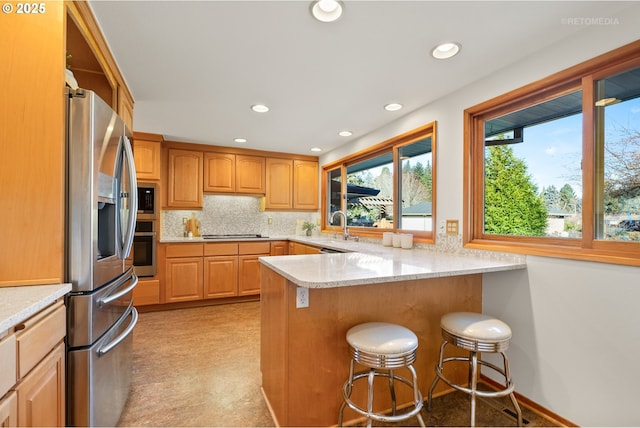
(90, 315)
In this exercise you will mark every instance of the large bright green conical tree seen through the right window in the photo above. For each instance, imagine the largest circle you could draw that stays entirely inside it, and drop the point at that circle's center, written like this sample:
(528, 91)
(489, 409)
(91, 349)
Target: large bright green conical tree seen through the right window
(512, 204)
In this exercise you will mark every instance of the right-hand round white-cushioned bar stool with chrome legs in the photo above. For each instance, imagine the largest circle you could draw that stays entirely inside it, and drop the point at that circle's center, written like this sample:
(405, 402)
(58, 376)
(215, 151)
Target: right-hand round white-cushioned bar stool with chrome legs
(476, 333)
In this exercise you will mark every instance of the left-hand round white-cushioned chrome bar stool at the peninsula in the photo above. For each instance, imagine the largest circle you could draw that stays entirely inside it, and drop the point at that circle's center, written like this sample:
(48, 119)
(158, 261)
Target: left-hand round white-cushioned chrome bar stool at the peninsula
(382, 347)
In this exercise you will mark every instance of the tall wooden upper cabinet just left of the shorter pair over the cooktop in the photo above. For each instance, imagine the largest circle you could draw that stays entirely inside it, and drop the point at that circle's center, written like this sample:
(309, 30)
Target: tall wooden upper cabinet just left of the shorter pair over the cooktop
(184, 179)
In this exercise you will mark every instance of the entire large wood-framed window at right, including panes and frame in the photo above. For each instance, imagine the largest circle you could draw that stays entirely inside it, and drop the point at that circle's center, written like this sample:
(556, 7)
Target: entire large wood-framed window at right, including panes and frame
(554, 167)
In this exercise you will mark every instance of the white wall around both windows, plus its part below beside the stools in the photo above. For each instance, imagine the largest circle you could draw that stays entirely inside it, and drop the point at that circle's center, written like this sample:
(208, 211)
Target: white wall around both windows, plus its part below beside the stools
(576, 330)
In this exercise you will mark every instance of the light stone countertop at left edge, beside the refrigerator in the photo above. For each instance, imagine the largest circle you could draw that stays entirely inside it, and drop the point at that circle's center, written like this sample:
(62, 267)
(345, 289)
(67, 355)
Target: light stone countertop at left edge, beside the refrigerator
(20, 303)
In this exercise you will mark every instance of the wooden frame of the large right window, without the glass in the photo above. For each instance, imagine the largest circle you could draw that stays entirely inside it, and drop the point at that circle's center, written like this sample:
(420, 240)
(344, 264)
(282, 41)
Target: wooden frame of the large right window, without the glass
(582, 76)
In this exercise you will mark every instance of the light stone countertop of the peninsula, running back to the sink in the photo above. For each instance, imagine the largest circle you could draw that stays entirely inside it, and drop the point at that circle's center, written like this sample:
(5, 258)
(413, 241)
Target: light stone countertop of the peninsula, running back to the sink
(368, 263)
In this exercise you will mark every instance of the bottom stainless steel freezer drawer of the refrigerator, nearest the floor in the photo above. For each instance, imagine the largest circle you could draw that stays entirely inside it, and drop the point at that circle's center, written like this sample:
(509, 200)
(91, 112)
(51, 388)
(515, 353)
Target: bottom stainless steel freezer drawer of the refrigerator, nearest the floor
(99, 377)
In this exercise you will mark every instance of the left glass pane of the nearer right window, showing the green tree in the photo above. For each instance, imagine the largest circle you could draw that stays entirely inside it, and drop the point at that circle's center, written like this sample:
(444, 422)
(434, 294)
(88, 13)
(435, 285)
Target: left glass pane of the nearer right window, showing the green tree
(534, 153)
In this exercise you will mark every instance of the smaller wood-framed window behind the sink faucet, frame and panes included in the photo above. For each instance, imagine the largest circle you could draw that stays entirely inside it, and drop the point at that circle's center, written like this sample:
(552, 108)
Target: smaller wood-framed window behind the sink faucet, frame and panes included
(388, 188)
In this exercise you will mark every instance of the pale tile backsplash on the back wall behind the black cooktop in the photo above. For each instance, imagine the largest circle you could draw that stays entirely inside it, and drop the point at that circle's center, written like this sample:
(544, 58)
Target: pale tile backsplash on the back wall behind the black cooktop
(222, 214)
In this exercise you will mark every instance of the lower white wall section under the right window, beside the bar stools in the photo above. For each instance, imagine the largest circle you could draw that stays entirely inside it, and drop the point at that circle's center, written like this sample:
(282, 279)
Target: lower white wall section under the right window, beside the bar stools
(576, 329)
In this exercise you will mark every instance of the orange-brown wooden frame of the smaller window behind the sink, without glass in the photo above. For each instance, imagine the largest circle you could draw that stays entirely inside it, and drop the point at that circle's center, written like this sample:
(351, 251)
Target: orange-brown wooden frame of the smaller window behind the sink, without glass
(391, 145)
